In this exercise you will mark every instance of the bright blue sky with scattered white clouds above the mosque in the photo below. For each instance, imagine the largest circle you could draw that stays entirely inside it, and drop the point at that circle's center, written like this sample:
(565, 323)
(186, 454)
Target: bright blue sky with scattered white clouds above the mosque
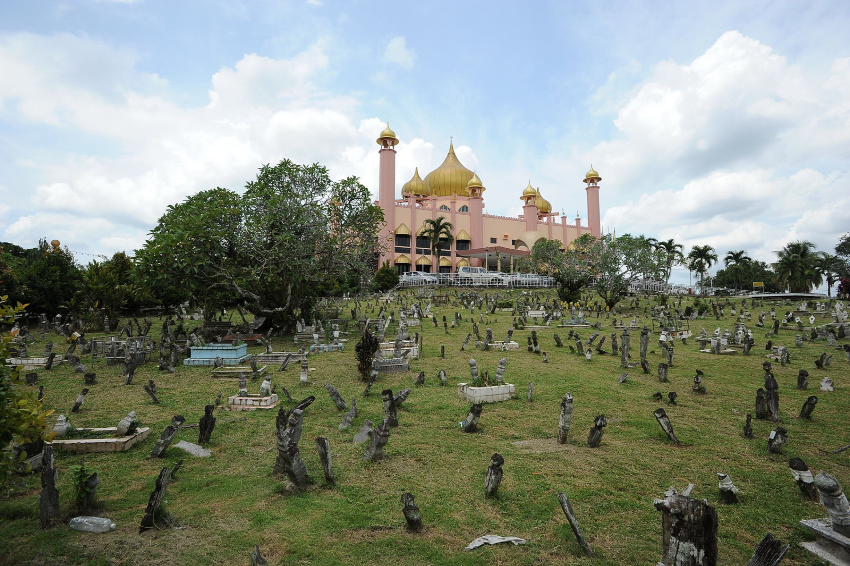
(724, 123)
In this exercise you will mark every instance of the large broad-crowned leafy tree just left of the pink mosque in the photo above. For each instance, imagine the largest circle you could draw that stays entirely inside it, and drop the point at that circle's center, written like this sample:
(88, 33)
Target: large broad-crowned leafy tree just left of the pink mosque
(273, 249)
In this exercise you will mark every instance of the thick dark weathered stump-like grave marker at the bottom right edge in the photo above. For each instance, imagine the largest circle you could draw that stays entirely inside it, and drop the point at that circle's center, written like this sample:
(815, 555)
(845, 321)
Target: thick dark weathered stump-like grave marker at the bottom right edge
(690, 531)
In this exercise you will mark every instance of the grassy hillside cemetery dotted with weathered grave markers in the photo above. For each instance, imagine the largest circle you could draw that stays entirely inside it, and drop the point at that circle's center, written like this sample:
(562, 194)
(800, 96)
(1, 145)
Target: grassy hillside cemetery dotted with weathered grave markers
(642, 433)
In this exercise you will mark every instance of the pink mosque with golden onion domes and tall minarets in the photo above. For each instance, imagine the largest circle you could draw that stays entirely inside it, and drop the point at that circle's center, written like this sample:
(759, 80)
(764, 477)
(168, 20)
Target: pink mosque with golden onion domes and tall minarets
(456, 193)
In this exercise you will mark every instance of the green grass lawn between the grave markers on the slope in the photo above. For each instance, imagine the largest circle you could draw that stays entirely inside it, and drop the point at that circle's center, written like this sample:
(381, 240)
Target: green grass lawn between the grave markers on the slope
(226, 504)
